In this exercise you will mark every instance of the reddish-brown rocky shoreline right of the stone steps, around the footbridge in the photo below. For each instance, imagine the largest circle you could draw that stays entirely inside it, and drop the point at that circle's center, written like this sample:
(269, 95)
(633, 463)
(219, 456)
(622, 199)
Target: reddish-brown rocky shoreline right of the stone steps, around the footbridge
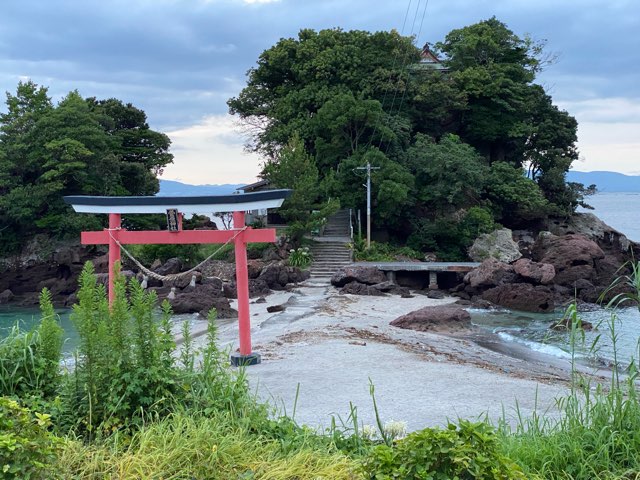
(538, 270)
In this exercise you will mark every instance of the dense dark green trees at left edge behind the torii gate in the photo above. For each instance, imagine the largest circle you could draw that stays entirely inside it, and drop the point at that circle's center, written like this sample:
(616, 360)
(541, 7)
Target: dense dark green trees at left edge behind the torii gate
(77, 147)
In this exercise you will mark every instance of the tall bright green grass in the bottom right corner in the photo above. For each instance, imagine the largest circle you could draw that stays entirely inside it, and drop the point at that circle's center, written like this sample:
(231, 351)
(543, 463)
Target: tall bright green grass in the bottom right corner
(597, 435)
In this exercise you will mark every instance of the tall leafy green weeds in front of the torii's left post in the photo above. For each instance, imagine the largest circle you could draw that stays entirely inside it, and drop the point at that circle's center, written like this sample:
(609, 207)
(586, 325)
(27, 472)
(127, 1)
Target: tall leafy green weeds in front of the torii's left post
(124, 369)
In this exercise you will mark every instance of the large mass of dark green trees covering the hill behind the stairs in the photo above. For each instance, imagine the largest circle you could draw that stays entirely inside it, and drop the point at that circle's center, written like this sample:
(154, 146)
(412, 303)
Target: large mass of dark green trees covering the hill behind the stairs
(459, 148)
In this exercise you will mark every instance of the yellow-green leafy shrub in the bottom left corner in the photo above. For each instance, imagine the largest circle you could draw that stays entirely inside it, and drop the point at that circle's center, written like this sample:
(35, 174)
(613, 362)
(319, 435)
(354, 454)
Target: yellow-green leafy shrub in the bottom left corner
(27, 449)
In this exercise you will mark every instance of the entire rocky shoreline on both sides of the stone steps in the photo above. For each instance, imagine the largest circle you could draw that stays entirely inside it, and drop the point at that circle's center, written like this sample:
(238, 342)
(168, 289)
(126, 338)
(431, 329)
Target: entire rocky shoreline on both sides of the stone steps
(536, 270)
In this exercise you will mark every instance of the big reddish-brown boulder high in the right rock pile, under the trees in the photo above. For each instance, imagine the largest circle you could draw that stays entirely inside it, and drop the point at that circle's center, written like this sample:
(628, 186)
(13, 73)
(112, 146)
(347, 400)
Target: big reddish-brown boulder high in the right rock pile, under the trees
(572, 256)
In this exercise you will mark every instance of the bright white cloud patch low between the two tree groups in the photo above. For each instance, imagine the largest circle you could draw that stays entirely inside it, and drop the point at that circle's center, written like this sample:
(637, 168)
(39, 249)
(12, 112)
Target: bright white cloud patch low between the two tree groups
(211, 152)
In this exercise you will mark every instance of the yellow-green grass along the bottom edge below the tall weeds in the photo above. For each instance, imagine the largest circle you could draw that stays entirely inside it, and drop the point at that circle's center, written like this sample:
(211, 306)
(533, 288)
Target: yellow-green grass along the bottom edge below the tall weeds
(187, 446)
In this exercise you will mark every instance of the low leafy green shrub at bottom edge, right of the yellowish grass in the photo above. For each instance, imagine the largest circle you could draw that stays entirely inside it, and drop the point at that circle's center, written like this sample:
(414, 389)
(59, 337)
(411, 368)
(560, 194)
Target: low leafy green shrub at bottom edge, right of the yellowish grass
(465, 451)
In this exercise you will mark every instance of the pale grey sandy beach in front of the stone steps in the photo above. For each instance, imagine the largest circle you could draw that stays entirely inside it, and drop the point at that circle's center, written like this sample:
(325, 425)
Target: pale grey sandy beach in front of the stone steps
(320, 354)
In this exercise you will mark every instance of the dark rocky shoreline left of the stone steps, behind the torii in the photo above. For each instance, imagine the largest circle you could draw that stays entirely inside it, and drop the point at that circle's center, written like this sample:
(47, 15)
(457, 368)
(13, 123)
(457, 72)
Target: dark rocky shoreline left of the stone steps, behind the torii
(58, 267)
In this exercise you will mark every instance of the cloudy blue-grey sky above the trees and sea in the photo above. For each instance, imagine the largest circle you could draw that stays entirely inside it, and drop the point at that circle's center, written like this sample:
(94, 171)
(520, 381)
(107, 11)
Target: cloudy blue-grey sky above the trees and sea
(180, 60)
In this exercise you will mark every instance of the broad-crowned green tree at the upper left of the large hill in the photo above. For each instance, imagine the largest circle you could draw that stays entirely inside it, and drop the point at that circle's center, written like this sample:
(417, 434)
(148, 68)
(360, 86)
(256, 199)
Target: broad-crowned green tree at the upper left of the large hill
(296, 77)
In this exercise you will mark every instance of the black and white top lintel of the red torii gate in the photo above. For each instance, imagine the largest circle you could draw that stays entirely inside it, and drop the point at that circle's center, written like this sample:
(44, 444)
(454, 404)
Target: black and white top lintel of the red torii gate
(198, 205)
